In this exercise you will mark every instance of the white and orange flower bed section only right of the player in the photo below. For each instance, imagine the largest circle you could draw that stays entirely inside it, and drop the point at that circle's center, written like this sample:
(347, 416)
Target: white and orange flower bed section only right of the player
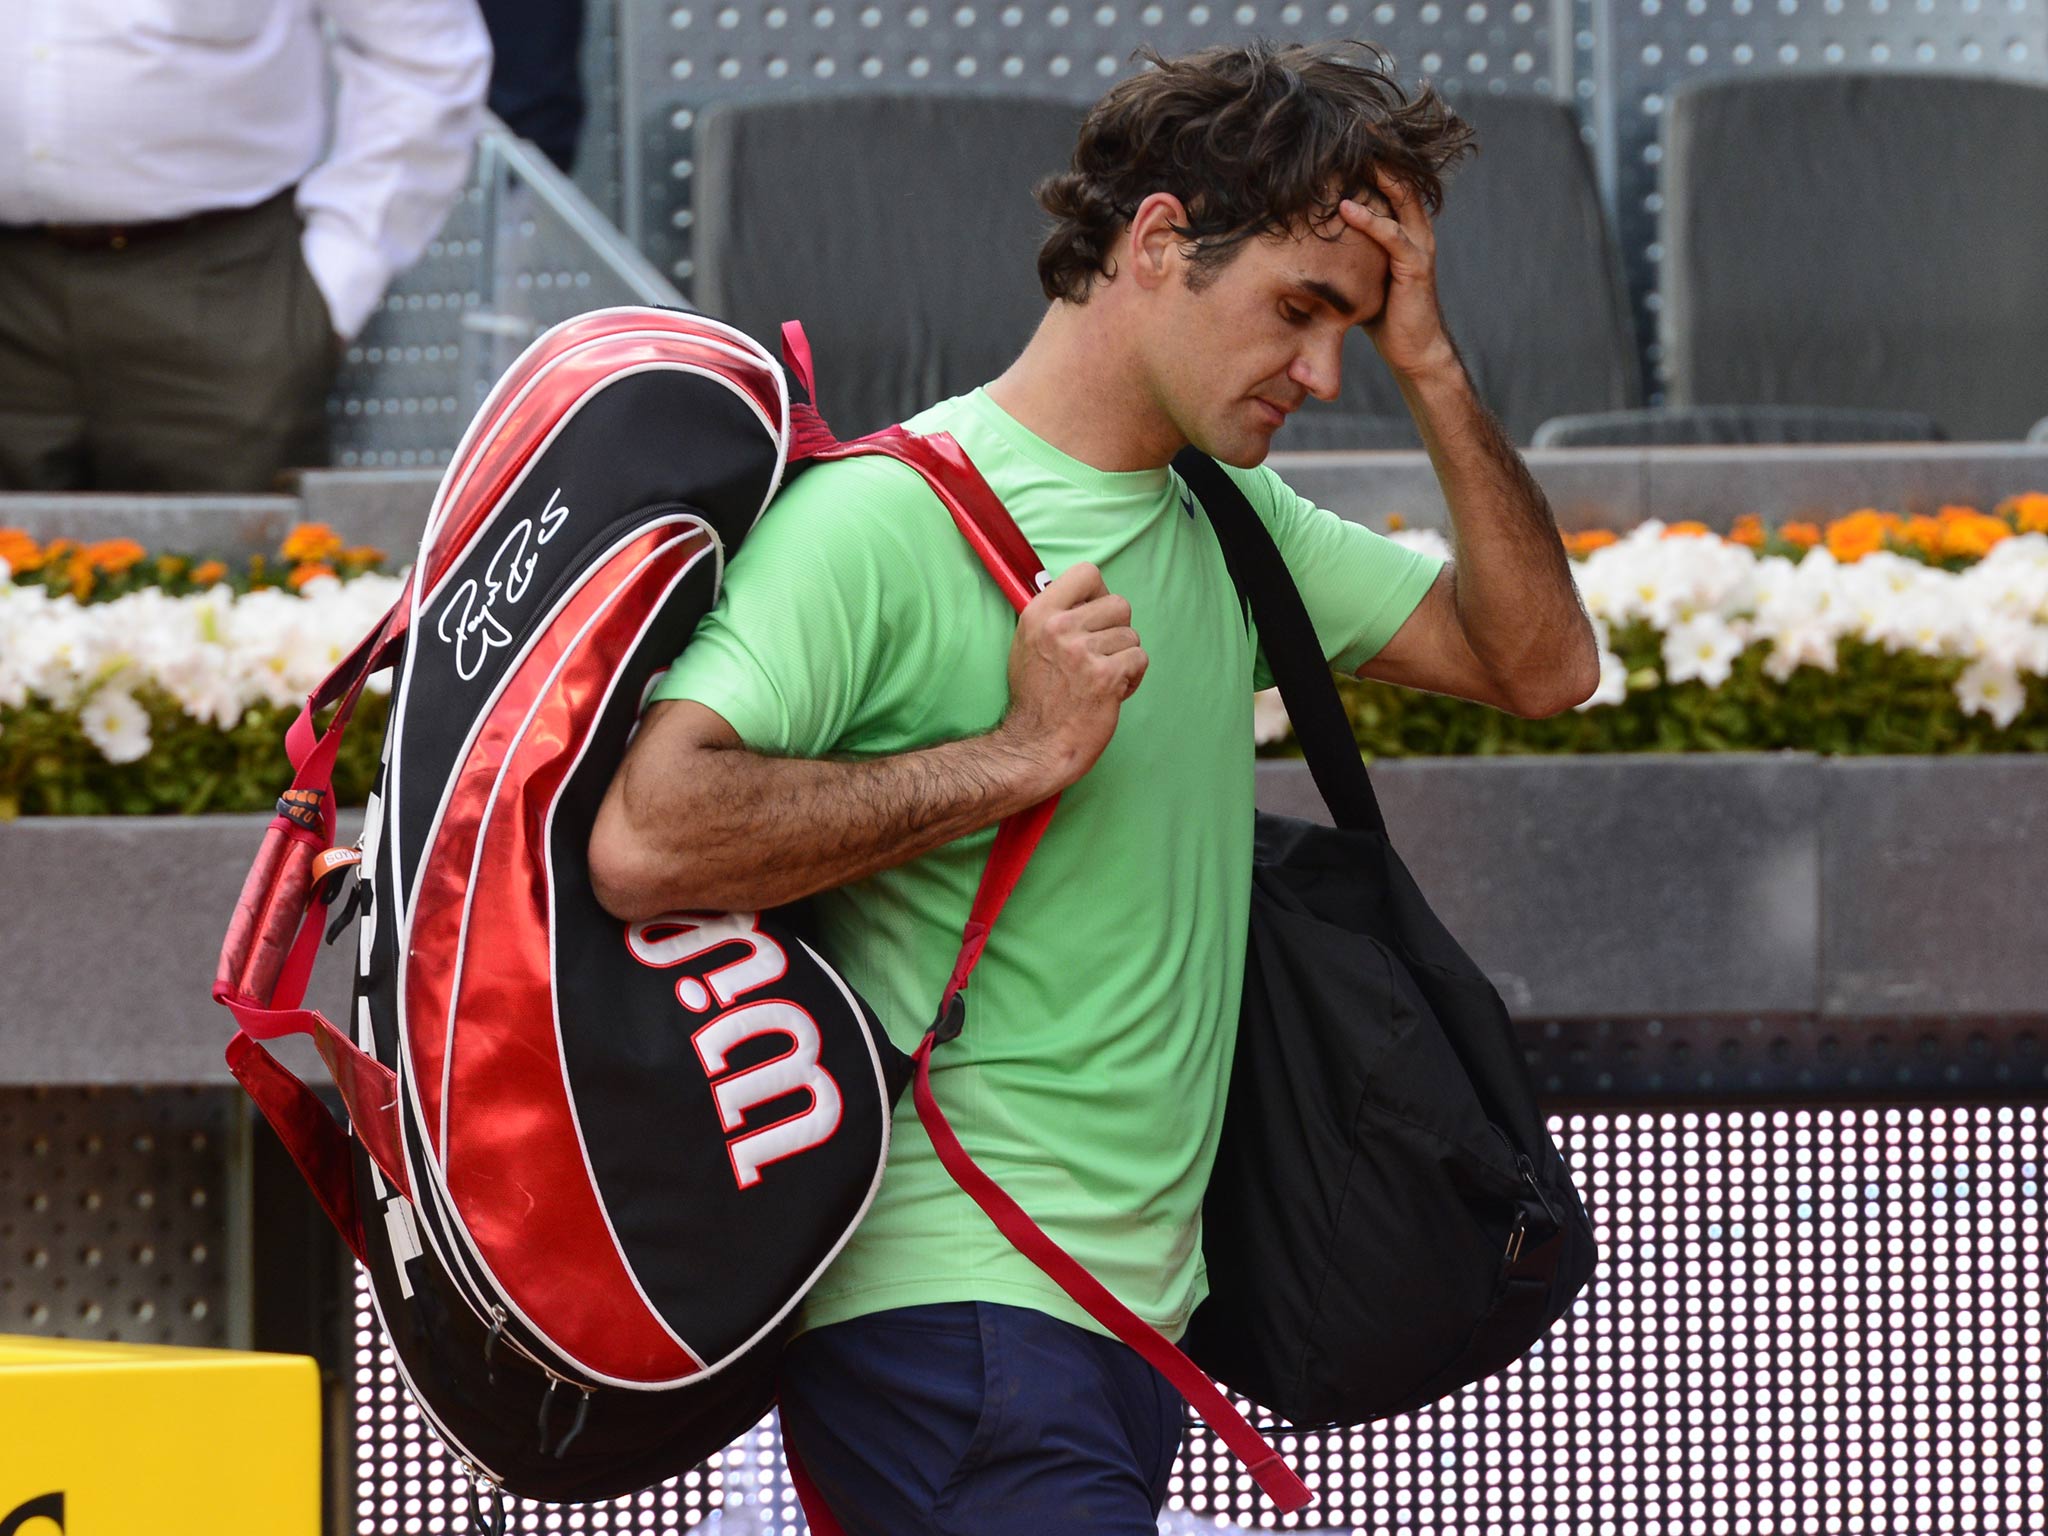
(1871, 636)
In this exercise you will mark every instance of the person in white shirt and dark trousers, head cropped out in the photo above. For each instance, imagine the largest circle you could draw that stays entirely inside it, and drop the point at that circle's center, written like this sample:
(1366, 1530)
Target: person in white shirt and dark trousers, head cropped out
(202, 204)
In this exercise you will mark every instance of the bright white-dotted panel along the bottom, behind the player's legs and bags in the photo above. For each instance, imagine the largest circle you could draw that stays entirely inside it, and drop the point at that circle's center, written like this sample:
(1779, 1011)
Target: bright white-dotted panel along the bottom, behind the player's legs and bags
(1818, 1320)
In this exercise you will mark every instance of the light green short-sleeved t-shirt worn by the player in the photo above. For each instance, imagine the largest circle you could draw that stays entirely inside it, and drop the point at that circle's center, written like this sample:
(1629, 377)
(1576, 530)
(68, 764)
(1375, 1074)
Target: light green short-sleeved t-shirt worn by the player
(1091, 1078)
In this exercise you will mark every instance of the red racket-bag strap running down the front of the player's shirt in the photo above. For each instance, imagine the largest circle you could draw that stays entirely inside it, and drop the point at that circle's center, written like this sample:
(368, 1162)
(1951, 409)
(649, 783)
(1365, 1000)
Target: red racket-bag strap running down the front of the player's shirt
(1017, 570)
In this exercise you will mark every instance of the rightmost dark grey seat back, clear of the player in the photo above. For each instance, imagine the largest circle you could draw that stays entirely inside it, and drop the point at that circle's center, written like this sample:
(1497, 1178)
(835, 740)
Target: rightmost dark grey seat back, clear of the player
(1861, 241)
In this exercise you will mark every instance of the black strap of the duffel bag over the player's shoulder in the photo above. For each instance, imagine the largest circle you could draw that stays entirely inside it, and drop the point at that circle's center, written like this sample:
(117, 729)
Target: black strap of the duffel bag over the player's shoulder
(1289, 640)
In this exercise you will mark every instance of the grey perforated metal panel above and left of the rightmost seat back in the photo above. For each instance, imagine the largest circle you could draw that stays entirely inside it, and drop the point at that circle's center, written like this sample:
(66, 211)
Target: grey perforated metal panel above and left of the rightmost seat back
(1646, 48)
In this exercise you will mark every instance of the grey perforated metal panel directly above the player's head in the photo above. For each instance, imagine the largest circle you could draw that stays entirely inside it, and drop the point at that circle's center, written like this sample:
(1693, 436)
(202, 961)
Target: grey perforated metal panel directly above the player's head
(685, 56)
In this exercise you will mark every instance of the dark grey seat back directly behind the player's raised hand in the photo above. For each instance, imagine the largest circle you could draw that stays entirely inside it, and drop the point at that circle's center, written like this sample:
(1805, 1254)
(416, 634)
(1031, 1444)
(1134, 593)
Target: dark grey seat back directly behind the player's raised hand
(1529, 275)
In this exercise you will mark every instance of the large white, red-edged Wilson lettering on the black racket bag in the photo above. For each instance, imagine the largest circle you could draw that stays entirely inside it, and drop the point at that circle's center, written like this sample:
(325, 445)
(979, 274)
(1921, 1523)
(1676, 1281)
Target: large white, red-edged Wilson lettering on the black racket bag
(679, 939)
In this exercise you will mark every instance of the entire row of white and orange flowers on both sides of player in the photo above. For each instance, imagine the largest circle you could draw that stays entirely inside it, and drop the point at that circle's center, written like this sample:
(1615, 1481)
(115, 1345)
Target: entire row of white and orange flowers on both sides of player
(136, 683)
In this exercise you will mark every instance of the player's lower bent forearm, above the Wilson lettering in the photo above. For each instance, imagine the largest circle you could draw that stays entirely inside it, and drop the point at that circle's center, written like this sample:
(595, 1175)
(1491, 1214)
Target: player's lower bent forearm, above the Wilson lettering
(751, 833)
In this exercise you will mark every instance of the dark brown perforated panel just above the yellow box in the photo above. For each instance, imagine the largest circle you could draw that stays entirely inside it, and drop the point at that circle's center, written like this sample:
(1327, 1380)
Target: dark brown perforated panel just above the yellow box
(116, 1215)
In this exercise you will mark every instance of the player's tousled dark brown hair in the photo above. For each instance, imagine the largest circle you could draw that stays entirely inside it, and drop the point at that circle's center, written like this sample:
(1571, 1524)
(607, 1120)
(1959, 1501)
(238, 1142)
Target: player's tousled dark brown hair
(1252, 140)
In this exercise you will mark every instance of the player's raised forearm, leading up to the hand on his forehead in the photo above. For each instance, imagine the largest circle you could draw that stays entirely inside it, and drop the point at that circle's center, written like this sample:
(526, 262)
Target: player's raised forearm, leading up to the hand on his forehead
(1517, 599)
